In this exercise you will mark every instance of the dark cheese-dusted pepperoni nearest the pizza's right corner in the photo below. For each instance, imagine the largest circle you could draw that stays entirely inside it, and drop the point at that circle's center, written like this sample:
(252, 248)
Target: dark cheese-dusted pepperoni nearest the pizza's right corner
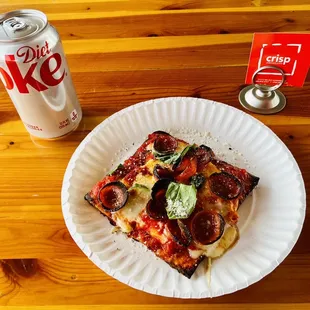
(225, 185)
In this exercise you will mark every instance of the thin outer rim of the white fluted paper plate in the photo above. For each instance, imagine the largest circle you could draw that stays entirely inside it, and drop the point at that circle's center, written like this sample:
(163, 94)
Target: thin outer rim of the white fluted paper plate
(175, 292)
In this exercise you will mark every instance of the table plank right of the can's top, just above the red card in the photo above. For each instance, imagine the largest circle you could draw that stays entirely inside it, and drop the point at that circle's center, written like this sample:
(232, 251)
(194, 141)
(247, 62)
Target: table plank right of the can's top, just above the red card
(128, 24)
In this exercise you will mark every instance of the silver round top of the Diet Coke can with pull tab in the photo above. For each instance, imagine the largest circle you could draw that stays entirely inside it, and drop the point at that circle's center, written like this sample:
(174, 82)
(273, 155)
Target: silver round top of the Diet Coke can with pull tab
(21, 24)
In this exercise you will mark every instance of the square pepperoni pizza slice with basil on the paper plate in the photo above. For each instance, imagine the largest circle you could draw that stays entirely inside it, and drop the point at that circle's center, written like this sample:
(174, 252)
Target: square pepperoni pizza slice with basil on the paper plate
(179, 200)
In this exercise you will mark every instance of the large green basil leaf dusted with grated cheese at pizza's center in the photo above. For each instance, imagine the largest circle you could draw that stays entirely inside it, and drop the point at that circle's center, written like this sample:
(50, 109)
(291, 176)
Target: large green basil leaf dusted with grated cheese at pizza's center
(181, 200)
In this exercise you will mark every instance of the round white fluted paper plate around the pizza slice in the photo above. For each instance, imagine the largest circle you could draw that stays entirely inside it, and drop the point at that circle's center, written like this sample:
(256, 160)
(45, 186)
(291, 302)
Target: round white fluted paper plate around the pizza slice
(270, 221)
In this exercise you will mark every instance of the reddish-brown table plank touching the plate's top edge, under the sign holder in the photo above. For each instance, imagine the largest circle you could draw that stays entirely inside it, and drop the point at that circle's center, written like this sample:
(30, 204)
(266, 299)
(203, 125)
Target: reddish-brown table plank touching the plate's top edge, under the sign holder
(104, 93)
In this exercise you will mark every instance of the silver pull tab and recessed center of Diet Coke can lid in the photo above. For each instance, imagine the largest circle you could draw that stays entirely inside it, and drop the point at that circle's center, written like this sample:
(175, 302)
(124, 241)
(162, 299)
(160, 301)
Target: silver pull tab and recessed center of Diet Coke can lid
(16, 27)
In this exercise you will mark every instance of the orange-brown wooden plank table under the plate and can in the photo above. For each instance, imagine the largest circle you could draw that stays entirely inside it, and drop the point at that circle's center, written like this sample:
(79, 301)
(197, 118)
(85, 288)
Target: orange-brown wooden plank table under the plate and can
(121, 52)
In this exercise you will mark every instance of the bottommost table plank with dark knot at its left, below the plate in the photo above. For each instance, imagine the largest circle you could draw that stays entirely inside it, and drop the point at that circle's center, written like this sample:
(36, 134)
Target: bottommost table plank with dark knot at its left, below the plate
(76, 281)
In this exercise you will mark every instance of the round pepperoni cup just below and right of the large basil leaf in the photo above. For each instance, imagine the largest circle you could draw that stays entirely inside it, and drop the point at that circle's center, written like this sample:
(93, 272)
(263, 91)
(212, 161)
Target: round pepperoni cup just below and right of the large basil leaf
(207, 227)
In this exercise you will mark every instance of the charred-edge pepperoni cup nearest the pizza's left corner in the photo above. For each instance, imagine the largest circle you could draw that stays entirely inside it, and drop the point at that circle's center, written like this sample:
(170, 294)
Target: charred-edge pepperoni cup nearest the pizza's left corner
(113, 196)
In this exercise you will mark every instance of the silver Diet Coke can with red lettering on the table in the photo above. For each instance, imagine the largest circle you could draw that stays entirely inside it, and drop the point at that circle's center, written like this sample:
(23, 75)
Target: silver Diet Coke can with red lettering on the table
(34, 70)
